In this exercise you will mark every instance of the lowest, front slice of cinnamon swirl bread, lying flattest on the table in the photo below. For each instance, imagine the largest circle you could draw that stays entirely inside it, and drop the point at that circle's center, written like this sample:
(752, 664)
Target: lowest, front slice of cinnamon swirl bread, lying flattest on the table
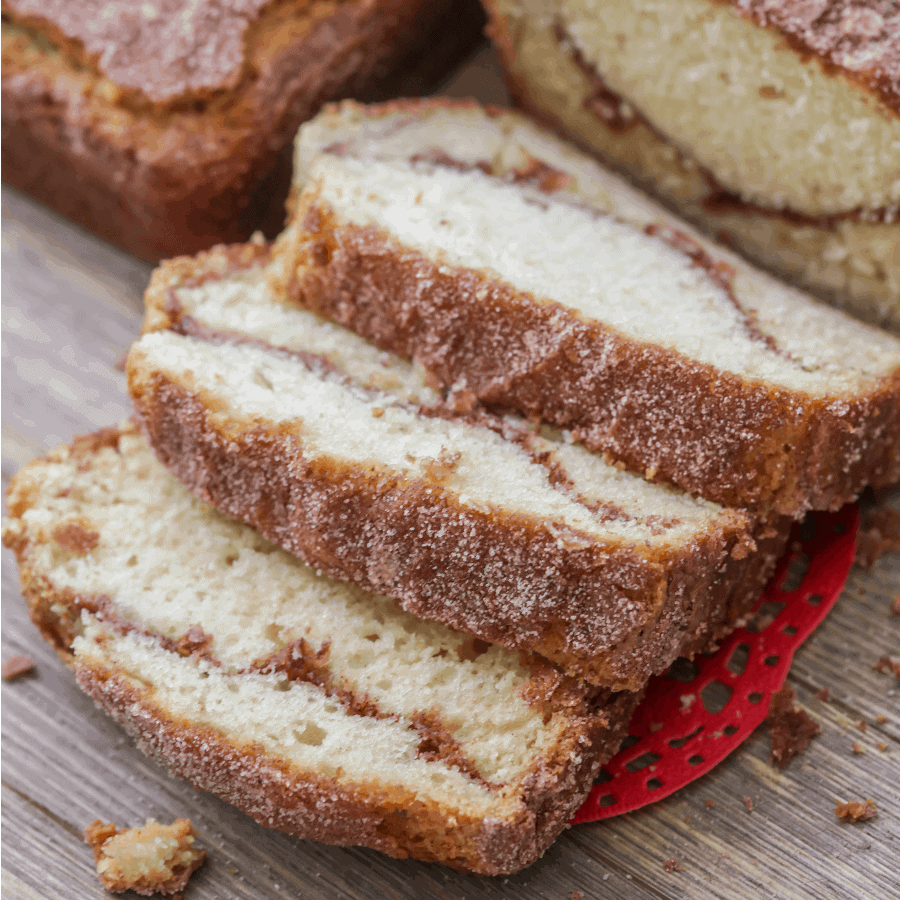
(314, 707)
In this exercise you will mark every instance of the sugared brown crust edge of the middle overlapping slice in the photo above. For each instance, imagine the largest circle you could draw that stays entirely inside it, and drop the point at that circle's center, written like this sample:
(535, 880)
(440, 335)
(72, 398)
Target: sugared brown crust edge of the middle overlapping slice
(608, 614)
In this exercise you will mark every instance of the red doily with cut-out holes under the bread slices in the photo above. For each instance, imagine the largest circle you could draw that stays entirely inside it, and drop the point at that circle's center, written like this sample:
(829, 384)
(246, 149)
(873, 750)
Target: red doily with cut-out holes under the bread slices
(697, 713)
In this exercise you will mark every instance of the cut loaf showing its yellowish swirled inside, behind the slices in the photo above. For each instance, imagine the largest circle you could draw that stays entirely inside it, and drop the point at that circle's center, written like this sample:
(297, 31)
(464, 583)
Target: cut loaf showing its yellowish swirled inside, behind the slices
(775, 126)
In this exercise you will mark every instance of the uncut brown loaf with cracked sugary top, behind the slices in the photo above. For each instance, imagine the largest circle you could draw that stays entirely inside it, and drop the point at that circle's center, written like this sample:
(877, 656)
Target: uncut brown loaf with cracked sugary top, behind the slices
(165, 127)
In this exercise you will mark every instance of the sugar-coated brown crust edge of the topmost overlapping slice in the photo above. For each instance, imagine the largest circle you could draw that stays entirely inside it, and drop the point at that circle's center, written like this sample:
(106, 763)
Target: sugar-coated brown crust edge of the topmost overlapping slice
(711, 433)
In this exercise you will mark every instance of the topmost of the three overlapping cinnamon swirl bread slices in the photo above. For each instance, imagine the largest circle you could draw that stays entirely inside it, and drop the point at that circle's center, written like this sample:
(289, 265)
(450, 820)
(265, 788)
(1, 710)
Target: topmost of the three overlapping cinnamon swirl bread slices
(516, 269)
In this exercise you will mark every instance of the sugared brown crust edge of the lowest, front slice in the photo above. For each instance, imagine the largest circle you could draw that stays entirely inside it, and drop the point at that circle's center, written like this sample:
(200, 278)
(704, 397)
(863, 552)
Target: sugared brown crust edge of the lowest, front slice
(316, 807)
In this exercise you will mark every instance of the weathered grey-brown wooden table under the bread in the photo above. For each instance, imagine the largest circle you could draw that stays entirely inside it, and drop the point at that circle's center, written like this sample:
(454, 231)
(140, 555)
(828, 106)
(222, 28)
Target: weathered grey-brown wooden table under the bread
(72, 305)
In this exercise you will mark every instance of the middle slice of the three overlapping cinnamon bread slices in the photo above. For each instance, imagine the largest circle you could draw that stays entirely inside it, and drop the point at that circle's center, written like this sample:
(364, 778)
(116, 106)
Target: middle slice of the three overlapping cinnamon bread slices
(346, 457)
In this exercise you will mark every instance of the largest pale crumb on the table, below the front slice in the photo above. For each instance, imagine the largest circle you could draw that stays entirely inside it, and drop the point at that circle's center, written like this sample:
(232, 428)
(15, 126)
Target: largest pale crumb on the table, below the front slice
(148, 859)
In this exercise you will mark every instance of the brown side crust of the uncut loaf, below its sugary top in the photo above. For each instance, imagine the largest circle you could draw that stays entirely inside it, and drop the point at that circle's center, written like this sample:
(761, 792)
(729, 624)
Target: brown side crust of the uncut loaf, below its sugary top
(159, 181)
